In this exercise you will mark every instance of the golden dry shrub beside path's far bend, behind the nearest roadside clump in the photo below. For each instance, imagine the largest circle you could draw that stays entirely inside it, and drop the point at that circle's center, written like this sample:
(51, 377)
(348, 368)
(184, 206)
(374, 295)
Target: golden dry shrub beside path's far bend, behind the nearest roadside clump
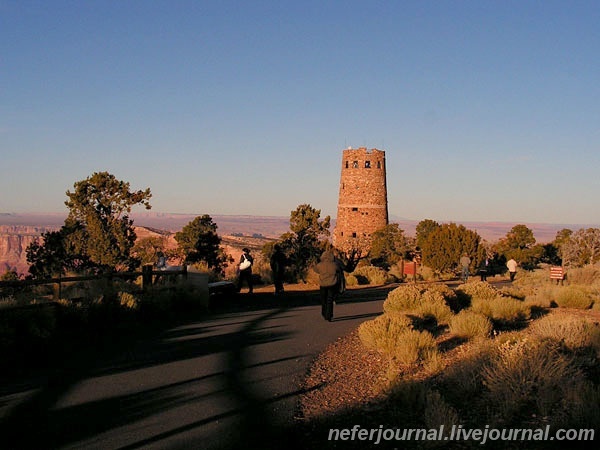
(424, 302)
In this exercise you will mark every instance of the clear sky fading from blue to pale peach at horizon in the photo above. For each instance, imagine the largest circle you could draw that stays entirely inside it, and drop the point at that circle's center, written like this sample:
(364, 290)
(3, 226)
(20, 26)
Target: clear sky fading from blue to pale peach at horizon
(487, 110)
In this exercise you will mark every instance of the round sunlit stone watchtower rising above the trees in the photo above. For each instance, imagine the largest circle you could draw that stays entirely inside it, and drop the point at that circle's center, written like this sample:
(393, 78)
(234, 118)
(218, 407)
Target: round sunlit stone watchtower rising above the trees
(362, 204)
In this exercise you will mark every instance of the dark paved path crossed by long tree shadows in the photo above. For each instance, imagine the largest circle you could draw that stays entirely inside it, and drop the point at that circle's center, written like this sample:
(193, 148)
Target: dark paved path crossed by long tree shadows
(231, 380)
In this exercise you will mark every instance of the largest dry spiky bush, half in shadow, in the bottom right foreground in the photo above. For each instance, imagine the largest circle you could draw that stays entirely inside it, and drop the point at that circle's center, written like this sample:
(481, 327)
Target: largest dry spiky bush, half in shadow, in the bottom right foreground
(518, 379)
